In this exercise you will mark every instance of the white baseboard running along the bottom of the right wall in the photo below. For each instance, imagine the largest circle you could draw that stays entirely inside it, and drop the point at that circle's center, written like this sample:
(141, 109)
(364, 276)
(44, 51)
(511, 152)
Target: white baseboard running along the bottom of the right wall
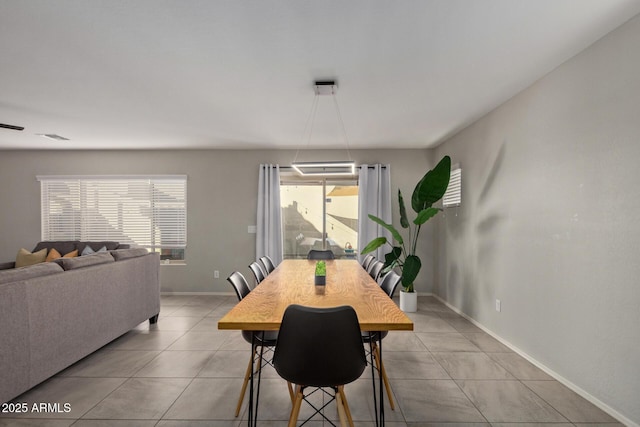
(581, 392)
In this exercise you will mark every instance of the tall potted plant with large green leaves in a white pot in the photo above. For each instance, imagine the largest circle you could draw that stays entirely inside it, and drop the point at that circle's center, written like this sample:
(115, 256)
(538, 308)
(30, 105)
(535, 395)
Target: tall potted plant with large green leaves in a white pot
(428, 191)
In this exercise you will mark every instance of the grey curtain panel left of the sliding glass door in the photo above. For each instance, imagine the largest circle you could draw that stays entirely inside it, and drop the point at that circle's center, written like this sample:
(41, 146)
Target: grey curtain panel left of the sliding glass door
(269, 216)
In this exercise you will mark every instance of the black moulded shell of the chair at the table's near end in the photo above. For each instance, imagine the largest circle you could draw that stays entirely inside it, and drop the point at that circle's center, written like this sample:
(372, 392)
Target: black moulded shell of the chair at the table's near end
(319, 347)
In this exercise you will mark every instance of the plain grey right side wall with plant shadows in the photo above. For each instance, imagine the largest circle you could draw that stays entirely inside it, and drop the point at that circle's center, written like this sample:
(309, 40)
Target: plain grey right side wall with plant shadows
(549, 221)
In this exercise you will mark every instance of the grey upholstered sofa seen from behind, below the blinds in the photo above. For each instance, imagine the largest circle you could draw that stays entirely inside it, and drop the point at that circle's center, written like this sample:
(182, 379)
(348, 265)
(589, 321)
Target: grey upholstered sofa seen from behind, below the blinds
(54, 314)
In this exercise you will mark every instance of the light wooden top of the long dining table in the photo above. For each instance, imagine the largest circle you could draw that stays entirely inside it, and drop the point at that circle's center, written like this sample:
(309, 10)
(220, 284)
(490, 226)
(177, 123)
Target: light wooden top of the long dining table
(292, 282)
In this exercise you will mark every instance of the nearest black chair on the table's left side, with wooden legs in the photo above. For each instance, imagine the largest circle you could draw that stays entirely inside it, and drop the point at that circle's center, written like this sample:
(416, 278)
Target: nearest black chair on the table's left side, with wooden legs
(259, 339)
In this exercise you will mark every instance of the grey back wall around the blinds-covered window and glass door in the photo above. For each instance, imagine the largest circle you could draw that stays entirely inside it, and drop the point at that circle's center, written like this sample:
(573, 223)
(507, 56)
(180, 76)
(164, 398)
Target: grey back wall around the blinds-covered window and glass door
(222, 200)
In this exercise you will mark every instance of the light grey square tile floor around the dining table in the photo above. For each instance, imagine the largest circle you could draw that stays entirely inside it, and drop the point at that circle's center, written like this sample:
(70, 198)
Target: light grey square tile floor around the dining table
(184, 372)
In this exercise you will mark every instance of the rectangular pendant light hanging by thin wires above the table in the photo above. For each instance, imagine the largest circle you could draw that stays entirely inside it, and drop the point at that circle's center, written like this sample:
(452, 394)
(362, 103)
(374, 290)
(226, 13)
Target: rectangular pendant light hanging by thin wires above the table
(325, 168)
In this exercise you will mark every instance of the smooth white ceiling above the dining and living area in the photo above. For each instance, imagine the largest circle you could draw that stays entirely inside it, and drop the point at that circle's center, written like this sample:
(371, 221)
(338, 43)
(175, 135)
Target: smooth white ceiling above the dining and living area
(191, 74)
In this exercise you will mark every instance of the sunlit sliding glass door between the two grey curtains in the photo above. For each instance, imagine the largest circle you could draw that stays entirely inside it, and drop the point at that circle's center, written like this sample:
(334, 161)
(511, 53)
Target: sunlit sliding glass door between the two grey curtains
(319, 215)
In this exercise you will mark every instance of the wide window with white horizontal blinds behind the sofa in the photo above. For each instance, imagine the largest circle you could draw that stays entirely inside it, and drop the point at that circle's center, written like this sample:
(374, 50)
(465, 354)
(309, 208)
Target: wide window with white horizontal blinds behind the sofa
(150, 212)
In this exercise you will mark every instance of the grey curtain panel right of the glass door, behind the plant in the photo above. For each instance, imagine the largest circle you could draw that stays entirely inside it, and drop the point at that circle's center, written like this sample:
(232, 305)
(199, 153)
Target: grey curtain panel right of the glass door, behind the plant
(374, 197)
